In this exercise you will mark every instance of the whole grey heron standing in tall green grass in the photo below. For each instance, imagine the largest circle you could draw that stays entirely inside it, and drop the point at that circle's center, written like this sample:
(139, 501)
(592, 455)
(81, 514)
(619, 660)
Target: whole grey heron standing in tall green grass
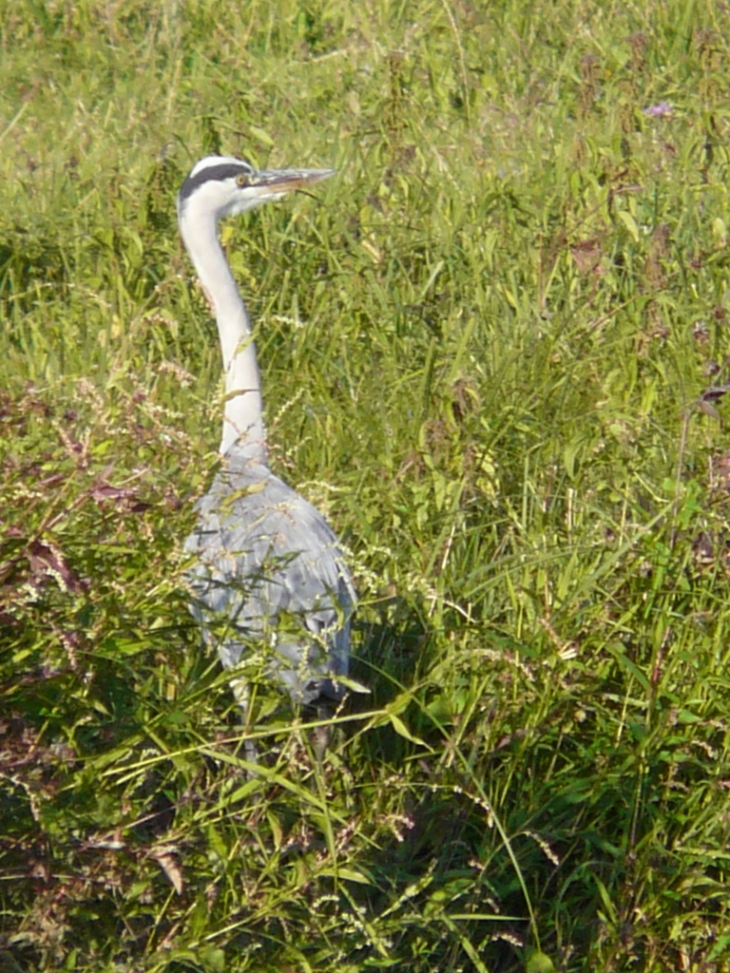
(268, 575)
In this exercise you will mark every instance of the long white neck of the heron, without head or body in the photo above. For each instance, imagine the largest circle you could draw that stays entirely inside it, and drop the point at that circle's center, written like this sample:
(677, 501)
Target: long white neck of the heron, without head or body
(243, 418)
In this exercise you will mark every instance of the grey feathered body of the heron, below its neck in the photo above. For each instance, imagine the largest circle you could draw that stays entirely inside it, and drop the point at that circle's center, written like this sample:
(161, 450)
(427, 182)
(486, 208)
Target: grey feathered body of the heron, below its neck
(269, 566)
